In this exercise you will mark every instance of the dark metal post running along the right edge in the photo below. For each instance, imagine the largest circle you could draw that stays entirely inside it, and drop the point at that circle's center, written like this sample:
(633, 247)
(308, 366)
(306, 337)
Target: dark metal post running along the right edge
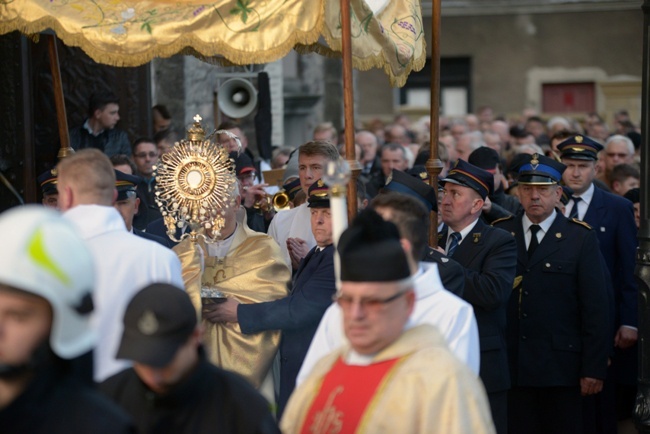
(642, 271)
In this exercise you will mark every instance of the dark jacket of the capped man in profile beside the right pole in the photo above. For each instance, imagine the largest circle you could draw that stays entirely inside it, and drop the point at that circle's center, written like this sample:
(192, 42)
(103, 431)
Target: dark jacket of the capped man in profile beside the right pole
(489, 258)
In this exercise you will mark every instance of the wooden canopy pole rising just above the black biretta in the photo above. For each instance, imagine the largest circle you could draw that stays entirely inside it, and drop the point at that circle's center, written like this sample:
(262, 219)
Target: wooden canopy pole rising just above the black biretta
(348, 106)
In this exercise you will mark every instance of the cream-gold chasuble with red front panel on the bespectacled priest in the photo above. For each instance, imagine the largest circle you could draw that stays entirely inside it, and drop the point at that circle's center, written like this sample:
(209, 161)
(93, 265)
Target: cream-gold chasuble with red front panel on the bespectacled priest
(415, 385)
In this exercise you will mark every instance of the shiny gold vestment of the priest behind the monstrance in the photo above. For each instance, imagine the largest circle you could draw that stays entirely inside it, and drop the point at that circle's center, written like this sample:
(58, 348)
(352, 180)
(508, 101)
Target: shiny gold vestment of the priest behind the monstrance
(253, 271)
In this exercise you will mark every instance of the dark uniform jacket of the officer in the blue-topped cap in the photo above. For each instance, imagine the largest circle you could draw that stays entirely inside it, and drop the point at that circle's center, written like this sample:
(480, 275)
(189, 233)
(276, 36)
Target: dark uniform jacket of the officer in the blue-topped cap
(559, 282)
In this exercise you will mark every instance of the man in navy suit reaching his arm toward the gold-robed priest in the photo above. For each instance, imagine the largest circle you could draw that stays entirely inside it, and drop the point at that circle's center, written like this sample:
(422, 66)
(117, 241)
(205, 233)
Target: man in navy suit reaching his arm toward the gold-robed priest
(298, 314)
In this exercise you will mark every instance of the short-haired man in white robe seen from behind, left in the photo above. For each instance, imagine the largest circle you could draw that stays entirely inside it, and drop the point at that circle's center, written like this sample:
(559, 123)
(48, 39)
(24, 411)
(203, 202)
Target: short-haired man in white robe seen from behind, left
(124, 262)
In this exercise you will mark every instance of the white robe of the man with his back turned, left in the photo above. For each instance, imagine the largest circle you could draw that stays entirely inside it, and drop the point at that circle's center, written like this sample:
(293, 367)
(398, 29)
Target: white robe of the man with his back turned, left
(124, 264)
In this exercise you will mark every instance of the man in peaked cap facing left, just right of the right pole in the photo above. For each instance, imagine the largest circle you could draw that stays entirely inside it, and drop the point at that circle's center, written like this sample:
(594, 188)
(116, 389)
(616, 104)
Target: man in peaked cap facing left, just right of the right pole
(489, 258)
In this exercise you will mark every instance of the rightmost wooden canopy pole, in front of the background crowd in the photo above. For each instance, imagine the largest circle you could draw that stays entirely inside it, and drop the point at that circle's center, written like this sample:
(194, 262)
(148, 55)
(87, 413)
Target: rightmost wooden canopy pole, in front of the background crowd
(433, 164)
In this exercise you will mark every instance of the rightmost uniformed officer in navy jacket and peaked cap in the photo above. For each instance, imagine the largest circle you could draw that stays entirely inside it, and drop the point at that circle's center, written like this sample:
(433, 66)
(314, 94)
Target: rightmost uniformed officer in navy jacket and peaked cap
(612, 218)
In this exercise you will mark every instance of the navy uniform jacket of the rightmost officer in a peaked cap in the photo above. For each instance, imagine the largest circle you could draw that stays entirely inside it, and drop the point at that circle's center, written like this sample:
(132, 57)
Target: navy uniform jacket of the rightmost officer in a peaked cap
(612, 217)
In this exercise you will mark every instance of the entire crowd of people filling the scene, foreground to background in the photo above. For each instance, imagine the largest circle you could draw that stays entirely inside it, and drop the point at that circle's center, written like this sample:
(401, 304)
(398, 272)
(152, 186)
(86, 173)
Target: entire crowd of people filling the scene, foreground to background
(522, 319)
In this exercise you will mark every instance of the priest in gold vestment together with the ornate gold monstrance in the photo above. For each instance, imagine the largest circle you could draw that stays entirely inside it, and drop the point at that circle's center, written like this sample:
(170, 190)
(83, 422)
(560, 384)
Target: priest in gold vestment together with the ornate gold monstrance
(221, 257)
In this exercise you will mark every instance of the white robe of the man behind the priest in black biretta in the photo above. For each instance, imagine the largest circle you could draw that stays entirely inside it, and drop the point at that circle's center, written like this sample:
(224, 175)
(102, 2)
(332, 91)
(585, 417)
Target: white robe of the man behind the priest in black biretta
(434, 305)
